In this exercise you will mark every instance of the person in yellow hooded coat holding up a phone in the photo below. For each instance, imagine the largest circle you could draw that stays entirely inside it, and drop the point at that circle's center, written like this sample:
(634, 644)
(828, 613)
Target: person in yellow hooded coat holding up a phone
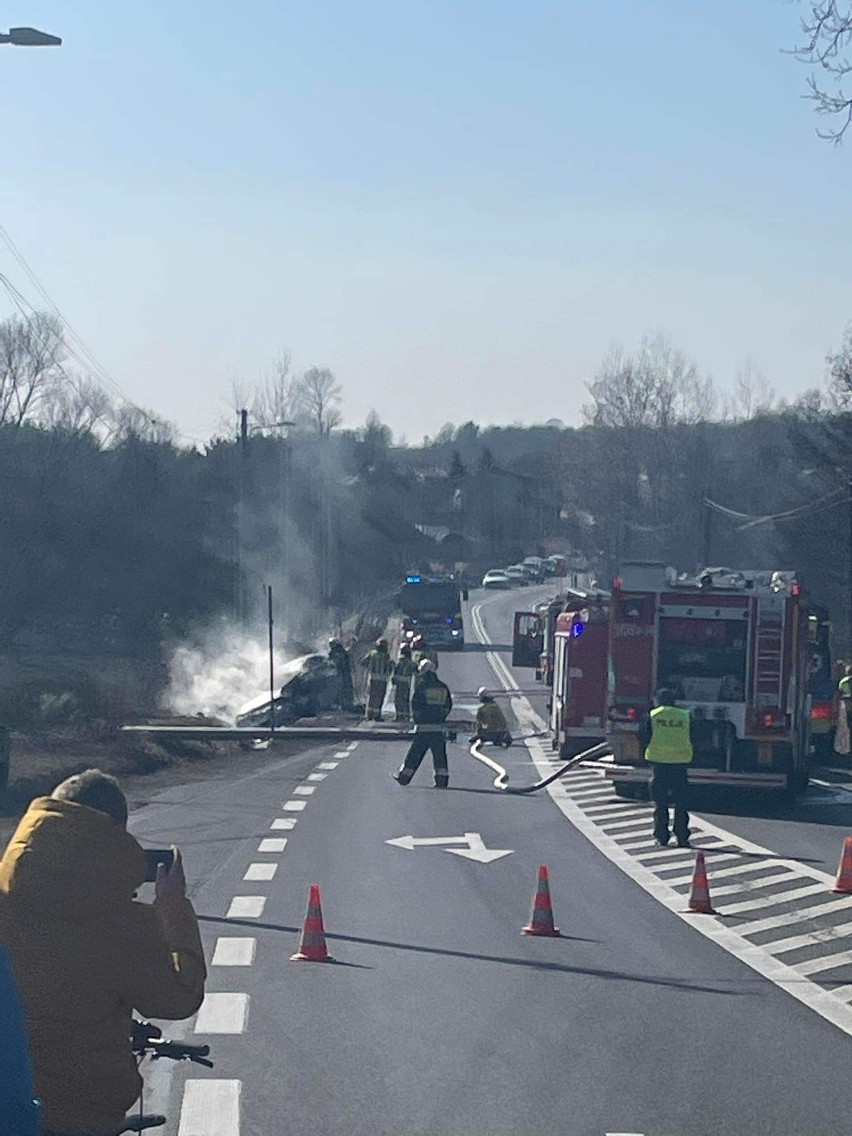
(85, 954)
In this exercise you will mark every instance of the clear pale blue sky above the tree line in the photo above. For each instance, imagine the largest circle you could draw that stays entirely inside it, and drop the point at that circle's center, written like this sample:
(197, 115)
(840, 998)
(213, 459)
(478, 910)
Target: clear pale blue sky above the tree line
(456, 206)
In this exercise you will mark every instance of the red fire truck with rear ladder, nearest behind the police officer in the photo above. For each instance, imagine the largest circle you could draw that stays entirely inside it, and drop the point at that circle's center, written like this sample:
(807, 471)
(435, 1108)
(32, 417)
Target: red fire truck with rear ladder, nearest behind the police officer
(734, 649)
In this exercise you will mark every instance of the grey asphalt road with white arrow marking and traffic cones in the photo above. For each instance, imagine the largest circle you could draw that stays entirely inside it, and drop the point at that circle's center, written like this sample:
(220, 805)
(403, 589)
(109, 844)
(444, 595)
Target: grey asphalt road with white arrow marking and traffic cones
(439, 1018)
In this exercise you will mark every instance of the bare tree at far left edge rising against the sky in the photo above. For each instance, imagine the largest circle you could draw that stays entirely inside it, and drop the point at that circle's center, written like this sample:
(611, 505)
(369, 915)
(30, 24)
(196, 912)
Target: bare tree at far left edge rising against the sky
(31, 355)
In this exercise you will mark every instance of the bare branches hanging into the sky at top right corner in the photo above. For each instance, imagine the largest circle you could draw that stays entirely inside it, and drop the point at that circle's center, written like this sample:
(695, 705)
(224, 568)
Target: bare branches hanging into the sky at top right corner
(826, 32)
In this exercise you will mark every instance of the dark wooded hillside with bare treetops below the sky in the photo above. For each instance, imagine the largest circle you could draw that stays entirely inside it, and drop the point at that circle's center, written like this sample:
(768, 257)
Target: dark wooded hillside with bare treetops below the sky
(120, 541)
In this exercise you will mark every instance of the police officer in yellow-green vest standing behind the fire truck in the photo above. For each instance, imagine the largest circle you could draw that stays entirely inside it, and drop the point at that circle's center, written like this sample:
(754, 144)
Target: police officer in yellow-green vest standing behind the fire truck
(667, 738)
